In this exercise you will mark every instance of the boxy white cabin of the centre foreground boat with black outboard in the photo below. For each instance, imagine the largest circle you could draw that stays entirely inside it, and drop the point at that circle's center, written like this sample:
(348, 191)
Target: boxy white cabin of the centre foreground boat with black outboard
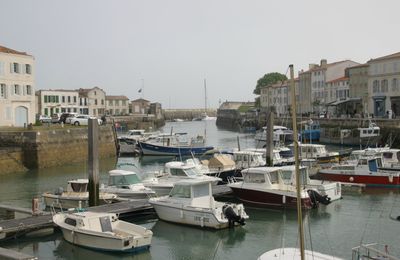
(198, 192)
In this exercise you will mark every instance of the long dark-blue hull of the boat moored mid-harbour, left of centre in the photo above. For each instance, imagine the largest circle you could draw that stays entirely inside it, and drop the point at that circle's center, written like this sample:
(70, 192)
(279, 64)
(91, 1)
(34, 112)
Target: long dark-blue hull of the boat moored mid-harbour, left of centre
(152, 149)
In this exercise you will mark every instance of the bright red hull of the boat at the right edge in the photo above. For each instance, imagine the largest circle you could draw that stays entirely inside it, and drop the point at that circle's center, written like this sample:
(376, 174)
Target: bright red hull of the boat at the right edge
(369, 180)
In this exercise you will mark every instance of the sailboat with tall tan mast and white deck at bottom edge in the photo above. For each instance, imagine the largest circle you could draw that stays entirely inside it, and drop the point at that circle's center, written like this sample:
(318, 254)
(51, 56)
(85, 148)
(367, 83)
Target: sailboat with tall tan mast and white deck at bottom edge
(296, 253)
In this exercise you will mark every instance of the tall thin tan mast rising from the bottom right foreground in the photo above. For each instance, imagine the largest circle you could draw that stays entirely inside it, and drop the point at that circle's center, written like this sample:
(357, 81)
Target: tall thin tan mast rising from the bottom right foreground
(296, 157)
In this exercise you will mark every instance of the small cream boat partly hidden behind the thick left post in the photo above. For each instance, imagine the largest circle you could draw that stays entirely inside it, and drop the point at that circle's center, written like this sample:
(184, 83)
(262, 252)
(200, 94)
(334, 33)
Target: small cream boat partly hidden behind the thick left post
(76, 196)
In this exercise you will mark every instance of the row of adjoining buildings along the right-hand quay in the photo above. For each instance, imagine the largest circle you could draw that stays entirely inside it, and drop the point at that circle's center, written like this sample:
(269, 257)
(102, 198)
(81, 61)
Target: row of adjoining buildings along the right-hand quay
(344, 88)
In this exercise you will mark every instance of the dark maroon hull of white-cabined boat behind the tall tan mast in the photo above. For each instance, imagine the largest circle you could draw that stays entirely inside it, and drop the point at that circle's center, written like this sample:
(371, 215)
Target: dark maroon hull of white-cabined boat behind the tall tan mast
(264, 199)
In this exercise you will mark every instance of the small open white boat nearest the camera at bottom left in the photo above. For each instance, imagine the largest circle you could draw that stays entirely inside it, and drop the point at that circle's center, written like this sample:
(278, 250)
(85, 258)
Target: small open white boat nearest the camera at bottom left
(102, 231)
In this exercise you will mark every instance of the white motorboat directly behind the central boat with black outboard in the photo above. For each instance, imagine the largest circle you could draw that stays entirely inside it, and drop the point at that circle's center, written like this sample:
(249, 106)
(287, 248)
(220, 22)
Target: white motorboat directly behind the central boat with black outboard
(172, 173)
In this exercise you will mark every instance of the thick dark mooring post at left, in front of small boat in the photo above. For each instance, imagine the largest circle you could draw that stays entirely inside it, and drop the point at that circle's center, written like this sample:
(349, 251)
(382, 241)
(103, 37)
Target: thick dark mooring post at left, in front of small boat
(93, 154)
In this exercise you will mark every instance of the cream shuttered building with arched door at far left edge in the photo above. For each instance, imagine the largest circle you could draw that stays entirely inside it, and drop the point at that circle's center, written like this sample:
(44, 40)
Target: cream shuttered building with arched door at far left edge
(17, 94)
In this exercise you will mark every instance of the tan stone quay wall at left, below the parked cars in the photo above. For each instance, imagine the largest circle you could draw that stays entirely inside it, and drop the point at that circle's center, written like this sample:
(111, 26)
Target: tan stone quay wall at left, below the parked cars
(43, 148)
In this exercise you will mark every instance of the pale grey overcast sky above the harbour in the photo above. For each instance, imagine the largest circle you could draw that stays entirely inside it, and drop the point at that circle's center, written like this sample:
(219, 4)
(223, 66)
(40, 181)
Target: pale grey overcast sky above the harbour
(171, 46)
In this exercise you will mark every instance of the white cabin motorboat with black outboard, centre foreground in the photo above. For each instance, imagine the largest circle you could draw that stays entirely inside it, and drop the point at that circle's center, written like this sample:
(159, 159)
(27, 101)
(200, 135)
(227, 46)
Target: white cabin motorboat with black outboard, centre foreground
(191, 202)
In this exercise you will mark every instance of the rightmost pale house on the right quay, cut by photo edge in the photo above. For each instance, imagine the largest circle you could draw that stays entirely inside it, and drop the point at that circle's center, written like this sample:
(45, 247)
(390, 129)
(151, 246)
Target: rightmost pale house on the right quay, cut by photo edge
(384, 86)
